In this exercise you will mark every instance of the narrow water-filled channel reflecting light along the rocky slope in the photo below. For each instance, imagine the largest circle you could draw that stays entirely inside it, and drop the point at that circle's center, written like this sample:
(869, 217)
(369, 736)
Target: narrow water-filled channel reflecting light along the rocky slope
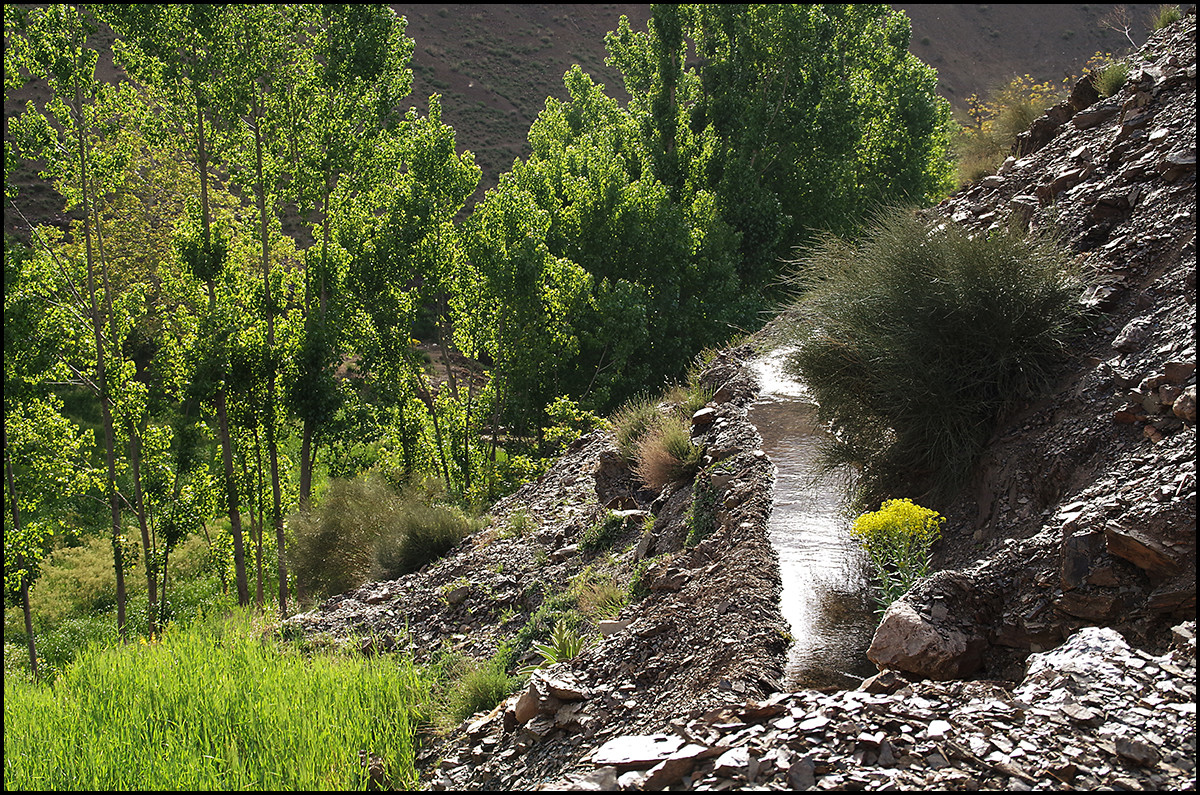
(825, 597)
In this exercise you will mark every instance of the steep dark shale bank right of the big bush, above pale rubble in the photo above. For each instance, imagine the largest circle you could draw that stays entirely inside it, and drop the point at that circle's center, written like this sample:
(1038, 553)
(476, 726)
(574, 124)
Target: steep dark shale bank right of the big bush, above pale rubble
(1084, 507)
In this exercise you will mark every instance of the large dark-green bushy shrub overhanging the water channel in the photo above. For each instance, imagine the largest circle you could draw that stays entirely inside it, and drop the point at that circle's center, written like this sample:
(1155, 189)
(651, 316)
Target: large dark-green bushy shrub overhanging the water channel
(915, 340)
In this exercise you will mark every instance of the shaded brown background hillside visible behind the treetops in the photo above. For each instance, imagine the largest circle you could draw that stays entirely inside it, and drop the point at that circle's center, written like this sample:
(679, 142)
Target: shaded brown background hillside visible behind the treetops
(496, 64)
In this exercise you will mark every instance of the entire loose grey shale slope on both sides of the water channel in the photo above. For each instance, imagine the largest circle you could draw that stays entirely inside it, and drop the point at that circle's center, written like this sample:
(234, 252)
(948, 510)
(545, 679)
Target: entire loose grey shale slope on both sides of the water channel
(1055, 648)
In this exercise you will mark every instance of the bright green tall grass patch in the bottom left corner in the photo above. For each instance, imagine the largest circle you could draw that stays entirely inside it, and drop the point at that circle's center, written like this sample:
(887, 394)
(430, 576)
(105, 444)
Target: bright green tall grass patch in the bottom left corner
(215, 707)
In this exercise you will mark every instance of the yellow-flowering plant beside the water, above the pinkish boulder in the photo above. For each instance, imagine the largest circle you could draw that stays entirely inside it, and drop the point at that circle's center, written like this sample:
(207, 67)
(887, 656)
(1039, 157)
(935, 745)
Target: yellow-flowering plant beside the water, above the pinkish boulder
(898, 540)
